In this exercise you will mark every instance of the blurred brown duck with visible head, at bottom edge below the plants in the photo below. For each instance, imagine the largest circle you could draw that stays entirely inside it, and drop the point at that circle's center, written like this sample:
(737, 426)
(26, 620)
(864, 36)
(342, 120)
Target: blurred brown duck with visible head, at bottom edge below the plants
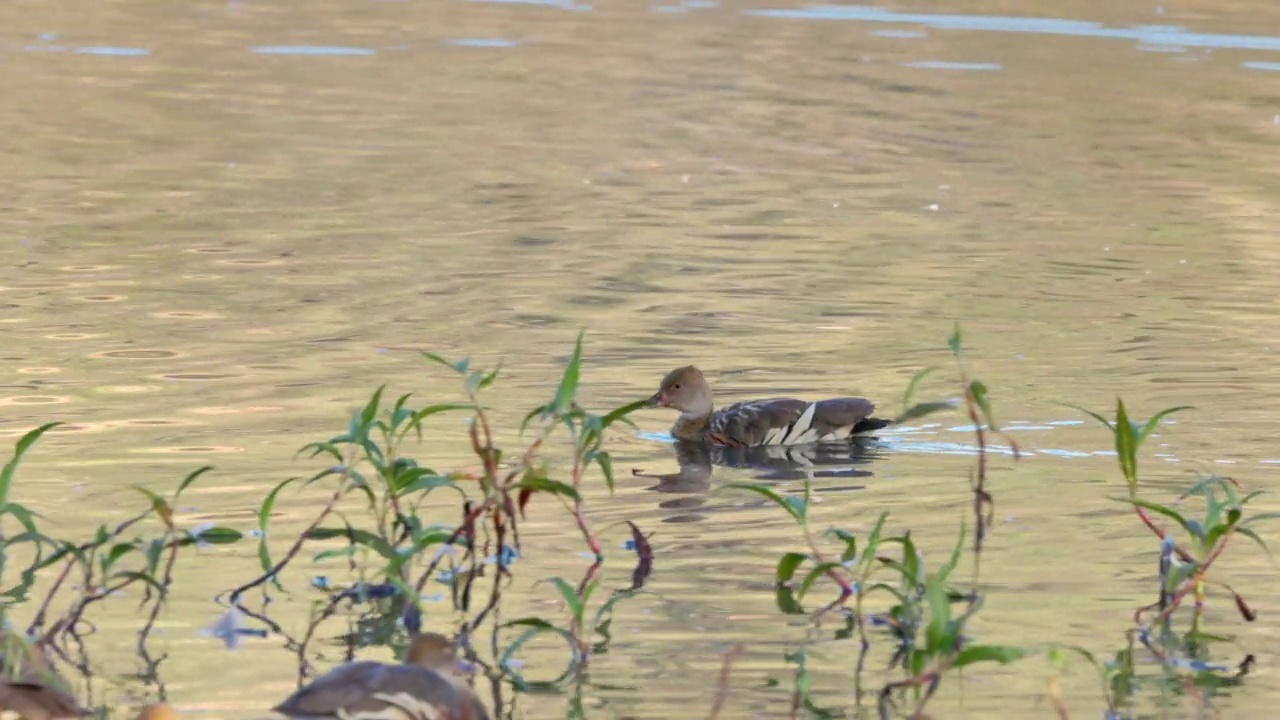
(426, 687)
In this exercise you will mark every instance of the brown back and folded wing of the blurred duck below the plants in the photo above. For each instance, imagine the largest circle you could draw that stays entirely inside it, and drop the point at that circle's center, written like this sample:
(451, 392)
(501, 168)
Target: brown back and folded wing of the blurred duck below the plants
(367, 687)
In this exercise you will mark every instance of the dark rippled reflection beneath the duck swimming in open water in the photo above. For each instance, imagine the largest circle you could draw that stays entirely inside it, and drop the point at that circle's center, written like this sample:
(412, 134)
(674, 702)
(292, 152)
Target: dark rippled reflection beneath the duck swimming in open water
(767, 464)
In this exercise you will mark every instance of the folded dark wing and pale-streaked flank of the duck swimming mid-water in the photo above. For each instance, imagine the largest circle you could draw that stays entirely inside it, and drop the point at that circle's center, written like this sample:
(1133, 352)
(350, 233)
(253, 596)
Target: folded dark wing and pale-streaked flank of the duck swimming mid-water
(787, 421)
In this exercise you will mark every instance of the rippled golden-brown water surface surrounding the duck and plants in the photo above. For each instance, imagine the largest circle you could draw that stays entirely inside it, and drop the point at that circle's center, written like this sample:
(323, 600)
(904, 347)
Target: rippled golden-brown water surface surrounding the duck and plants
(226, 224)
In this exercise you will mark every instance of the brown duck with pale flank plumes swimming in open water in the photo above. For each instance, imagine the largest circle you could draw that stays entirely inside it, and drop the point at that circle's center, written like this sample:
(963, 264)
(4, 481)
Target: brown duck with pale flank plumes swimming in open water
(757, 423)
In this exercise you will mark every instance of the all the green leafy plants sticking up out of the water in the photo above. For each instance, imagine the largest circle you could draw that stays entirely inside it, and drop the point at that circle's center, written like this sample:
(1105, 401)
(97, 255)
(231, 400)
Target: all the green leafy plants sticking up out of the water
(874, 594)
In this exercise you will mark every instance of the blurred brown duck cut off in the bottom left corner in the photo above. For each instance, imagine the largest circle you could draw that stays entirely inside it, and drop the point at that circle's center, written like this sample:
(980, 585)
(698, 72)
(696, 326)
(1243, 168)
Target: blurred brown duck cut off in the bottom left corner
(30, 685)
